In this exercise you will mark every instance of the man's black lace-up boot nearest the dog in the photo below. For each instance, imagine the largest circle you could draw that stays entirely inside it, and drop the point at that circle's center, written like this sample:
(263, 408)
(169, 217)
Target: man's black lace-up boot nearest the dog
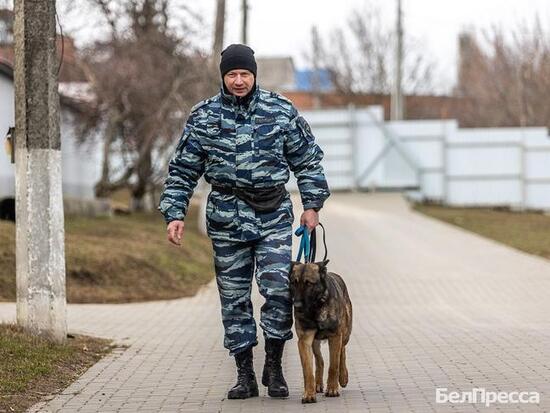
(272, 376)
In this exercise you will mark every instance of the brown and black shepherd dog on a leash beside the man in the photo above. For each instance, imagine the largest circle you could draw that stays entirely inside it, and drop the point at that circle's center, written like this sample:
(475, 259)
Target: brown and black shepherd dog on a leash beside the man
(322, 310)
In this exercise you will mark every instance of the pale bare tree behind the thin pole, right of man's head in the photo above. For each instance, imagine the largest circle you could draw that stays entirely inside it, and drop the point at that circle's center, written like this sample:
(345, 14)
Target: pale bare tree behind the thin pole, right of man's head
(361, 57)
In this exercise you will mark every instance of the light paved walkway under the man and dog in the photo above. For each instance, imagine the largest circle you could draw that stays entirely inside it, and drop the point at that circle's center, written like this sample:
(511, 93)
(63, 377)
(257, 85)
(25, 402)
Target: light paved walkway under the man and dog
(434, 306)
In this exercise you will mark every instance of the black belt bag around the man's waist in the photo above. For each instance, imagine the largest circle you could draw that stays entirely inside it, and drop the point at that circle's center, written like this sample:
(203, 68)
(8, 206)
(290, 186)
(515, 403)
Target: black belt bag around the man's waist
(261, 199)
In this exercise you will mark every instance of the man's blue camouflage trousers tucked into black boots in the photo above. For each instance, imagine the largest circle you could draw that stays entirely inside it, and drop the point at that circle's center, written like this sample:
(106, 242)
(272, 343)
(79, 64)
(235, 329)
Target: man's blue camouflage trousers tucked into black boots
(236, 263)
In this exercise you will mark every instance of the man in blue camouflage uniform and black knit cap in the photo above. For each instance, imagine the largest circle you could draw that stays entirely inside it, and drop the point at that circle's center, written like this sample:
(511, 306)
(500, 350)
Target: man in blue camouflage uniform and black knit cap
(241, 139)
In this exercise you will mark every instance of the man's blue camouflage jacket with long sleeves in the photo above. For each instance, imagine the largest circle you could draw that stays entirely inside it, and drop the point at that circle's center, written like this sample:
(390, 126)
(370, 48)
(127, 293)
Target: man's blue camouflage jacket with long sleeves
(251, 142)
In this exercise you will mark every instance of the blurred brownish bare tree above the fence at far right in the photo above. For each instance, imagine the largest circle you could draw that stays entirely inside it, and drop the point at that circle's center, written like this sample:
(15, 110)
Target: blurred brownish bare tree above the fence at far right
(504, 77)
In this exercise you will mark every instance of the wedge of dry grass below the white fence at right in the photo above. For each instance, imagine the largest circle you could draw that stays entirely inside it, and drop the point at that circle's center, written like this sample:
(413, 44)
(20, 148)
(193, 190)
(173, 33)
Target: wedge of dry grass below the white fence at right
(526, 231)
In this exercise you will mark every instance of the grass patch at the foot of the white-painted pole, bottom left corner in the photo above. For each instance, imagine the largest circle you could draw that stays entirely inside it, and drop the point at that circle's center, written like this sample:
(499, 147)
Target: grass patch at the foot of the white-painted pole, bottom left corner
(32, 368)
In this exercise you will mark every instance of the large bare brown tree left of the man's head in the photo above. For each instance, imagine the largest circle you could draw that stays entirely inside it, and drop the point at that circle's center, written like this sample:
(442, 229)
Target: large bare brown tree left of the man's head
(145, 78)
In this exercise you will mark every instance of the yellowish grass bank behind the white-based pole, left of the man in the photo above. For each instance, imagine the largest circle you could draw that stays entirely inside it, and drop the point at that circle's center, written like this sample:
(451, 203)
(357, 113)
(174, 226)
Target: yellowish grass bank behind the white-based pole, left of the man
(122, 259)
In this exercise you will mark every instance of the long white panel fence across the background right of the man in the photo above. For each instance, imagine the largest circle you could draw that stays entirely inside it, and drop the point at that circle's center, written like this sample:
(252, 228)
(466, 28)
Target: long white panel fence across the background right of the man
(459, 167)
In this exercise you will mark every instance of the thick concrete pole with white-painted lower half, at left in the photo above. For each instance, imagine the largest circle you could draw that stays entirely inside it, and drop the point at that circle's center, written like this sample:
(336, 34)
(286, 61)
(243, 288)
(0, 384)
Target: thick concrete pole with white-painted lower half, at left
(40, 236)
